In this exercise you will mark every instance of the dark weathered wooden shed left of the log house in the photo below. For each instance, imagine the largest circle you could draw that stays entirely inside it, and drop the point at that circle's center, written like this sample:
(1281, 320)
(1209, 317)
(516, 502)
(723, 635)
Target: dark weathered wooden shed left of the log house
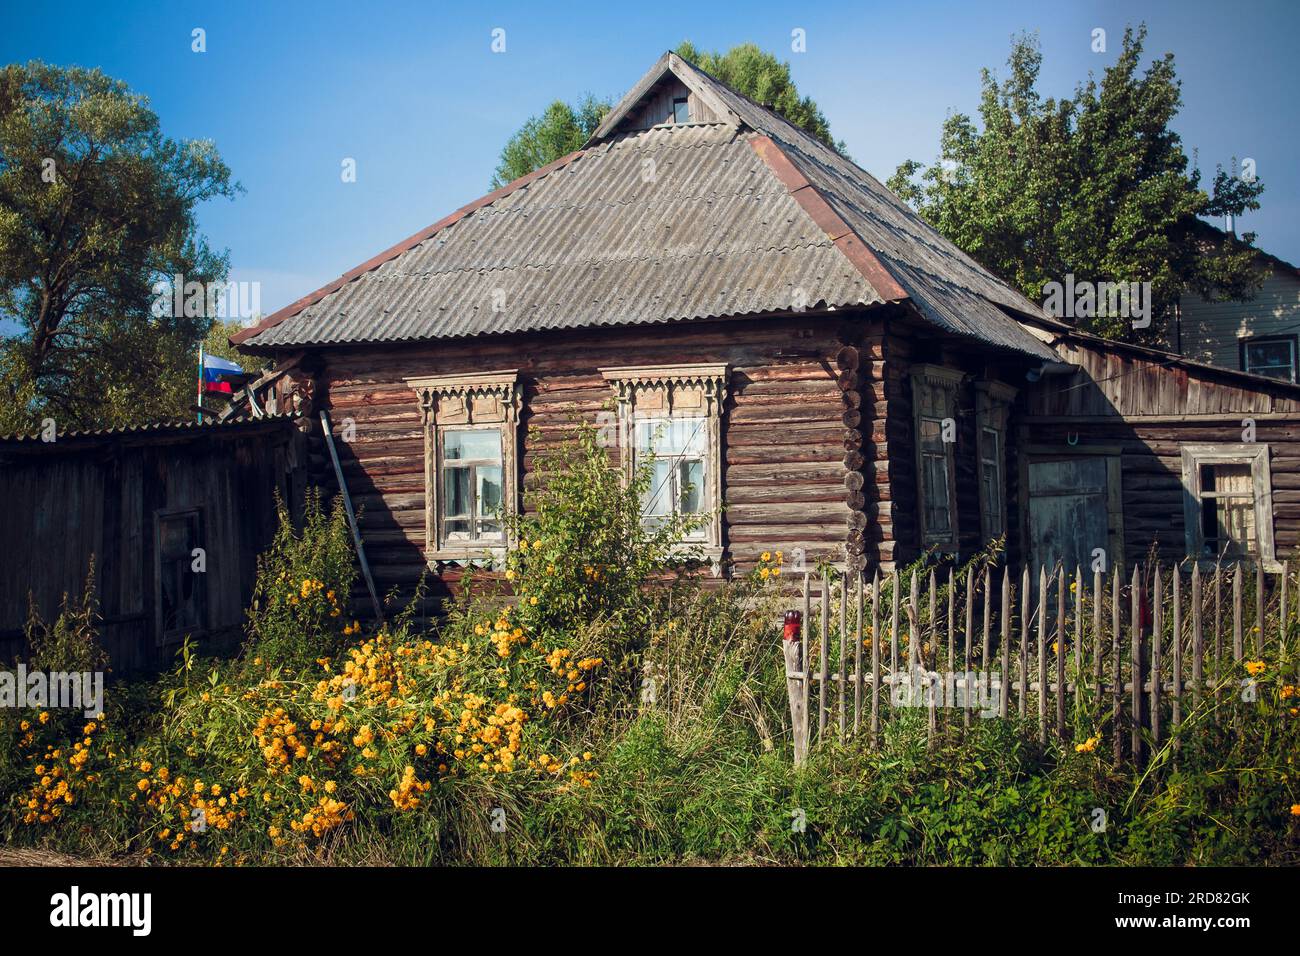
(140, 503)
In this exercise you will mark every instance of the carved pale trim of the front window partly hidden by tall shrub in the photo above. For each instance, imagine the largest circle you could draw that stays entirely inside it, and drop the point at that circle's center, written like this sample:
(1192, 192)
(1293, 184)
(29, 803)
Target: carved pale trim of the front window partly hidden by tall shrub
(683, 392)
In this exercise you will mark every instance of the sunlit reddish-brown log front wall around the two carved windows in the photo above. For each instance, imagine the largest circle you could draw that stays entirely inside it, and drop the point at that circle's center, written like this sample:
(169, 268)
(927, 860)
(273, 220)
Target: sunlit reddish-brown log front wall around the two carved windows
(785, 447)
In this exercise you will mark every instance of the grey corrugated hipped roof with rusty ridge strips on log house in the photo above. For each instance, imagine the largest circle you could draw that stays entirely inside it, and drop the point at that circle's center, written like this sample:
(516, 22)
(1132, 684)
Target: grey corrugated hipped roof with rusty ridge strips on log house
(675, 223)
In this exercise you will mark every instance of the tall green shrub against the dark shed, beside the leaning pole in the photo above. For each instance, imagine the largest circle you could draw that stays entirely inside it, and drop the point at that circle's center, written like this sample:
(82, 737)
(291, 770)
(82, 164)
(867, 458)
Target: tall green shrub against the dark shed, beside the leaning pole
(304, 583)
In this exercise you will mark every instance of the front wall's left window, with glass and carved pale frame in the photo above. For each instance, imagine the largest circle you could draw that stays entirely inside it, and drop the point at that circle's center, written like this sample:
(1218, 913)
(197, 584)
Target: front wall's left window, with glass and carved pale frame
(471, 426)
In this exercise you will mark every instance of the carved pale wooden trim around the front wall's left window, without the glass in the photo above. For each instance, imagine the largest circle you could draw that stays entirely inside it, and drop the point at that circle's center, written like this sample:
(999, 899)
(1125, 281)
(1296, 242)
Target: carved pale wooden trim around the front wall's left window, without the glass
(480, 400)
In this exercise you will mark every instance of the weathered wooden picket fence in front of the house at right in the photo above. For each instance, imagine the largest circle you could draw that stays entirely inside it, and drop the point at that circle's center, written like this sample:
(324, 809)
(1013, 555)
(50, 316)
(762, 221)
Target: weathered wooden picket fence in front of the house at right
(1125, 661)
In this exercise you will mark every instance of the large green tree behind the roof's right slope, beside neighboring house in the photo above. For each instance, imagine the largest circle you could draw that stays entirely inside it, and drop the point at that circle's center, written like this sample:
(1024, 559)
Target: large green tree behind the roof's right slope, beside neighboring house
(1097, 187)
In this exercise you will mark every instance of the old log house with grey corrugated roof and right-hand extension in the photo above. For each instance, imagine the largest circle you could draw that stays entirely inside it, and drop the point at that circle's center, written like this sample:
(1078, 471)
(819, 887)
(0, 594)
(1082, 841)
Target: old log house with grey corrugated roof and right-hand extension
(809, 362)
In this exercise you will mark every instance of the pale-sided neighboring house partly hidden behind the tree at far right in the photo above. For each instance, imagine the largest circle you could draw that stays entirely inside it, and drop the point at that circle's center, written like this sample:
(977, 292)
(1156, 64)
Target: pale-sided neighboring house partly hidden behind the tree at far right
(1212, 331)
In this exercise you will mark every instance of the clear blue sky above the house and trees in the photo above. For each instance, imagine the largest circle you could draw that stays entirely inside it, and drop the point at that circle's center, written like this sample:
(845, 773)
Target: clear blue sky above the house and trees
(414, 93)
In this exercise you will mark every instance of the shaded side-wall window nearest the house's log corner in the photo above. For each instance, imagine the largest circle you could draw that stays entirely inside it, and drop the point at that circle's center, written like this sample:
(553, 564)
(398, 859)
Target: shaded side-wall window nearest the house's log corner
(934, 393)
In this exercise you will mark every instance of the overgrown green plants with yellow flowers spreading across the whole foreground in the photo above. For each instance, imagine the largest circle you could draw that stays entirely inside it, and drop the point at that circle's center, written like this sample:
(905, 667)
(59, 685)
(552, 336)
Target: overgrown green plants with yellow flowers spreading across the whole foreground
(632, 715)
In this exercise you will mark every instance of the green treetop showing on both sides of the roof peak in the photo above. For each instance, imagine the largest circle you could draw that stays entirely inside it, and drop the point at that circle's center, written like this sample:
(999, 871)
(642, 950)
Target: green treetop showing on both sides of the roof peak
(564, 128)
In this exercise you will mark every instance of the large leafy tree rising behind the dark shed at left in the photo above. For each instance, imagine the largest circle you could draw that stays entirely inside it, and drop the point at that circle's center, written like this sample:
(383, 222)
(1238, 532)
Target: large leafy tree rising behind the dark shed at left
(97, 206)
